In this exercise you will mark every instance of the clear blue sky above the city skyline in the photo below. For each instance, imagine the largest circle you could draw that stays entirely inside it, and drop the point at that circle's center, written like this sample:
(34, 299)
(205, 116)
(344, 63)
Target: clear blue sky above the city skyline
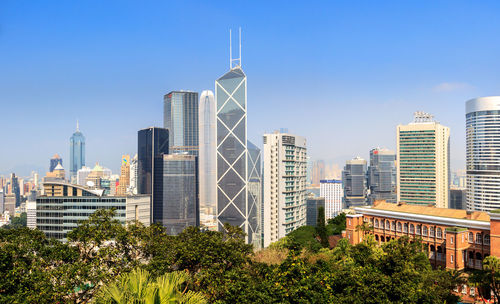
(341, 73)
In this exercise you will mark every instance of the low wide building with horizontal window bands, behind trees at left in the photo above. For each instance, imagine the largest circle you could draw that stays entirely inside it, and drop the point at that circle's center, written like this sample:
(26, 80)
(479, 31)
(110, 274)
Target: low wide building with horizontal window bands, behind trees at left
(64, 205)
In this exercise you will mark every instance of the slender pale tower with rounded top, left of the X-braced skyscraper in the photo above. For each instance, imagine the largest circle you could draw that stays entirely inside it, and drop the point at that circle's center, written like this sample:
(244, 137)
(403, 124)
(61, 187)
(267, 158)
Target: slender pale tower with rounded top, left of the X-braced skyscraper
(207, 160)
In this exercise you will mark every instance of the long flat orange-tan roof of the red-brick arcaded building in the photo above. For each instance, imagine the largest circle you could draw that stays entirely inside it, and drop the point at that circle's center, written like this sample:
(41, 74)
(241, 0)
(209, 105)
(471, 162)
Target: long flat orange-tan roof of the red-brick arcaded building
(433, 211)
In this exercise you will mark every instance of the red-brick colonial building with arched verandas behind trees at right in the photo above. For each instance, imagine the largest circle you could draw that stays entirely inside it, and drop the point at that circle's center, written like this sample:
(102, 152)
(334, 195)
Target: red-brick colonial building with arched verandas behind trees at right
(453, 239)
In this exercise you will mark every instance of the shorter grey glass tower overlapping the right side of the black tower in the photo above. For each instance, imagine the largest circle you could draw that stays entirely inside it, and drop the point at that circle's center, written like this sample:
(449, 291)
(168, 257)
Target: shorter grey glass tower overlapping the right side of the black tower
(176, 177)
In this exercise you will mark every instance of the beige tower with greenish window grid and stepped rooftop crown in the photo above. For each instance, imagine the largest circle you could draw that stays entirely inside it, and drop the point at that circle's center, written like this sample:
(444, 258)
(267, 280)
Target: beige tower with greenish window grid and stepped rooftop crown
(423, 162)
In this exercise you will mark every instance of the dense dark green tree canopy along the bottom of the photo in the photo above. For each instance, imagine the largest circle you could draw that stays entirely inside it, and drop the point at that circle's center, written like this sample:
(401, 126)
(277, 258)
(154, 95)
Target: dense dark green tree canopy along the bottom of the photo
(102, 255)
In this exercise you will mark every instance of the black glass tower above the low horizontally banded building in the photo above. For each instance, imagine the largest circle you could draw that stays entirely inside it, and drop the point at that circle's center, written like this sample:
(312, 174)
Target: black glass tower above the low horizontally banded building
(152, 144)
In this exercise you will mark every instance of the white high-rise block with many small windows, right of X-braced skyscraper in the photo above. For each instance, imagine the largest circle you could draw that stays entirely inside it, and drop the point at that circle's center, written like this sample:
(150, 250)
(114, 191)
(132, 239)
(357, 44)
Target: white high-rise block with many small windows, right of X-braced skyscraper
(285, 171)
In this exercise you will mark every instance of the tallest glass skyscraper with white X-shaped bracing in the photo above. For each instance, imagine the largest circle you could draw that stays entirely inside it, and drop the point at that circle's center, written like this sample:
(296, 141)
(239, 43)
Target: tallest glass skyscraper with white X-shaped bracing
(233, 205)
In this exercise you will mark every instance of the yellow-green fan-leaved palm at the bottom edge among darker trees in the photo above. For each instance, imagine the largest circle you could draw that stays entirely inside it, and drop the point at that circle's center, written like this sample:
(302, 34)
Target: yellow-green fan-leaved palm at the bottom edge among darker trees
(137, 287)
